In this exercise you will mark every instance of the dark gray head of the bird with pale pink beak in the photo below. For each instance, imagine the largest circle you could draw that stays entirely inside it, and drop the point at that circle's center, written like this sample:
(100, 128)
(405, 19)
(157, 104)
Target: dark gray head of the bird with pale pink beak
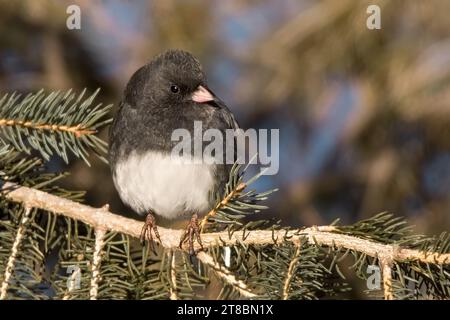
(171, 78)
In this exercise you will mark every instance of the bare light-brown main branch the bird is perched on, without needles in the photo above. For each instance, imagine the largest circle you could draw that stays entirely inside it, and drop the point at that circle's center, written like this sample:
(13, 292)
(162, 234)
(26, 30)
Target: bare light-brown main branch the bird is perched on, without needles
(100, 218)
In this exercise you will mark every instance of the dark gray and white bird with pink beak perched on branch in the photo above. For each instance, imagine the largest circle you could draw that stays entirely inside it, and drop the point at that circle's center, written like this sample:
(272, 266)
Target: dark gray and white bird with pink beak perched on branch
(168, 93)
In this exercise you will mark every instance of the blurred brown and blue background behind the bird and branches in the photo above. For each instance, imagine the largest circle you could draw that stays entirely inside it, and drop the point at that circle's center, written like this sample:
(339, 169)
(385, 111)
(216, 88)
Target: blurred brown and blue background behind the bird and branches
(364, 115)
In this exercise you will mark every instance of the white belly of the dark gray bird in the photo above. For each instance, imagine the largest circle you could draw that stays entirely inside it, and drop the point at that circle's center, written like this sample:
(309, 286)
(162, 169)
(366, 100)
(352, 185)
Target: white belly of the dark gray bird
(169, 187)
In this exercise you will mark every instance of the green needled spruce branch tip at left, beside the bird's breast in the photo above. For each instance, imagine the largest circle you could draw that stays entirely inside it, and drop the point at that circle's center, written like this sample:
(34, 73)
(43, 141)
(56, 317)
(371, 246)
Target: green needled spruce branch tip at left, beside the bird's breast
(58, 123)
